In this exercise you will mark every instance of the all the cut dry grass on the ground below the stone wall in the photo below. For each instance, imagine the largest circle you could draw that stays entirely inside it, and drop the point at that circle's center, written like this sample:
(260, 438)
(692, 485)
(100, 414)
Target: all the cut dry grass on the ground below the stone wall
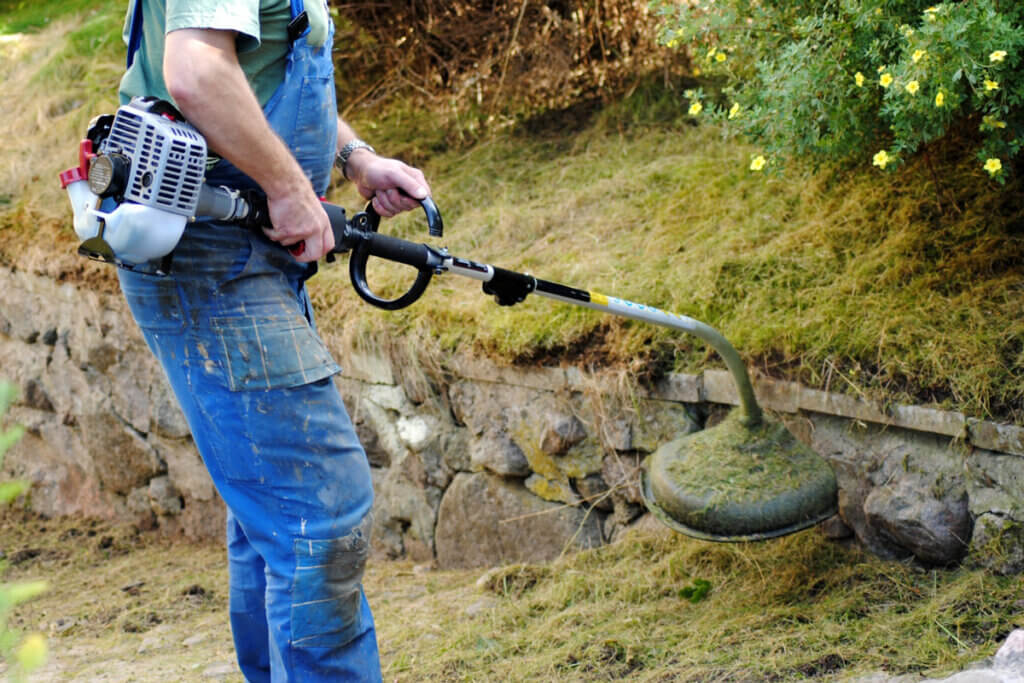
(656, 607)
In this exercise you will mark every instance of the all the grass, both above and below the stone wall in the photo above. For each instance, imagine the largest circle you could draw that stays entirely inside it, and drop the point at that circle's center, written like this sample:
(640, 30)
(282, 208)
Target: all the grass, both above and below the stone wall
(878, 285)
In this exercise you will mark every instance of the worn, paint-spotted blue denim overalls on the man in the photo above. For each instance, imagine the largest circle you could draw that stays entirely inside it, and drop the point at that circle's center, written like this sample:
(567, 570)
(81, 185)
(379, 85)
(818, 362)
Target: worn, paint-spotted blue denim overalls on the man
(234, 329)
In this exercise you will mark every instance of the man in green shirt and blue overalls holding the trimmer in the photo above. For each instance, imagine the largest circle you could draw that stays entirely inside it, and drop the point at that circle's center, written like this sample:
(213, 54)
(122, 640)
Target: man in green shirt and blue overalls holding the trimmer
(233, 326)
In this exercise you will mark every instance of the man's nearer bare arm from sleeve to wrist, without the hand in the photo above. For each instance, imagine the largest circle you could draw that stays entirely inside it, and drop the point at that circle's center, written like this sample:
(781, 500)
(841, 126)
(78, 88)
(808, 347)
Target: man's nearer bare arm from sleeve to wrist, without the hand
(203, 75)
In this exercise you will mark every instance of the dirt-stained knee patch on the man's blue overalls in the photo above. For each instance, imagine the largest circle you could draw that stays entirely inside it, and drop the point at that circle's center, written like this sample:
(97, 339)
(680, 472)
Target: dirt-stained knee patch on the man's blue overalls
(327, 589)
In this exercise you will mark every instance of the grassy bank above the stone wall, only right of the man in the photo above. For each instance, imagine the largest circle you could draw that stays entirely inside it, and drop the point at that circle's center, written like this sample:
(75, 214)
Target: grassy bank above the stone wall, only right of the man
(837, 281)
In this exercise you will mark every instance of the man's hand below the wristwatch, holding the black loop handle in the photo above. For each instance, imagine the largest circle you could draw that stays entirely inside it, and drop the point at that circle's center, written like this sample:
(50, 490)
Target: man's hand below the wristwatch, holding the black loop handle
(381, 180)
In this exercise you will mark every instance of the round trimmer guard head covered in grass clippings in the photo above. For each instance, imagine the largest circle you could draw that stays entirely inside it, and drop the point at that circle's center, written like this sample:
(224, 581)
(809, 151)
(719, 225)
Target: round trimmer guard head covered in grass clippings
(736, 483)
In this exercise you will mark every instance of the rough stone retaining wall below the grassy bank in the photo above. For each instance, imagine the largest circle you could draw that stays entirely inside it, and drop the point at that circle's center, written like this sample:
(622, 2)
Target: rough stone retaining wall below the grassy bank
(478, 464)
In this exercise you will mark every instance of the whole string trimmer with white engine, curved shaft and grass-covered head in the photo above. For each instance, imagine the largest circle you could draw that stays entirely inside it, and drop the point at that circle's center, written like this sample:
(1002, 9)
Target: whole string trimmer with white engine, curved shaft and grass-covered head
(140, 182)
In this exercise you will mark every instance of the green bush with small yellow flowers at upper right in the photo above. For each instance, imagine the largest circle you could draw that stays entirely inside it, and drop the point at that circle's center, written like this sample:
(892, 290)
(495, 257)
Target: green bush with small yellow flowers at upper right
(858, 80)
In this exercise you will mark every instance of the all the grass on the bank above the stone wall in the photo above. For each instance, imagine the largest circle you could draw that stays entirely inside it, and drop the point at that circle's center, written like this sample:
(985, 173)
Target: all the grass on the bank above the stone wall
(904, 288)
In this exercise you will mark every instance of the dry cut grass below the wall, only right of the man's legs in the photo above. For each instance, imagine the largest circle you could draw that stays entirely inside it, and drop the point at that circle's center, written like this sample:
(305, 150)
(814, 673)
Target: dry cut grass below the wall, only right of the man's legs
(789, 610)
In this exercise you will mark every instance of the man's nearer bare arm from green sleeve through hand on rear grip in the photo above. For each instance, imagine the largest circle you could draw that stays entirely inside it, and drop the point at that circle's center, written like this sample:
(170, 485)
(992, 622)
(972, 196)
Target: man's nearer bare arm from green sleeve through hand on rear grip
(202, 73)
